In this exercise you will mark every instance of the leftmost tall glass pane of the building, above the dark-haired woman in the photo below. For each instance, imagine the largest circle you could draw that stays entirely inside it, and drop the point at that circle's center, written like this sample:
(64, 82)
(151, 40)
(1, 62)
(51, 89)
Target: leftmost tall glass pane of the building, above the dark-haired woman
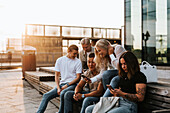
(133, 27)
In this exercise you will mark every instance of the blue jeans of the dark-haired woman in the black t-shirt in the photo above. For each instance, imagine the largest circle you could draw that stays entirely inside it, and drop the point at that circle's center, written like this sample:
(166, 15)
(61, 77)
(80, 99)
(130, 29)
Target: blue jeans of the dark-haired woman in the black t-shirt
(125, 106)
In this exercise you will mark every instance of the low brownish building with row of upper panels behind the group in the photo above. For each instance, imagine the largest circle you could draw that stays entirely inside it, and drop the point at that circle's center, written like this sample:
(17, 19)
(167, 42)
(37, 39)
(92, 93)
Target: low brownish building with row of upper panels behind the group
(52, 41)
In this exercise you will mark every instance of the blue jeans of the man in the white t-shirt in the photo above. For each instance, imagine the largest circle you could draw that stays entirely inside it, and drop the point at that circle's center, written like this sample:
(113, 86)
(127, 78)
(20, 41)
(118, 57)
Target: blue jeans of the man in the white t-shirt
(53, 94)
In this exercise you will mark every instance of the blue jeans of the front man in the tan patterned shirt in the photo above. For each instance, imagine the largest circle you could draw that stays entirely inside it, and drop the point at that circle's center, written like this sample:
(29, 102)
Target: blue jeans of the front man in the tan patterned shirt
(68, 102)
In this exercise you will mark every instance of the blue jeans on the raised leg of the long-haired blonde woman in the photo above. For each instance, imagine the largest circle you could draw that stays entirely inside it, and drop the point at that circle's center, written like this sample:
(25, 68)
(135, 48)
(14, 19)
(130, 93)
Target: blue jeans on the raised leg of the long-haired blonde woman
(107, 77)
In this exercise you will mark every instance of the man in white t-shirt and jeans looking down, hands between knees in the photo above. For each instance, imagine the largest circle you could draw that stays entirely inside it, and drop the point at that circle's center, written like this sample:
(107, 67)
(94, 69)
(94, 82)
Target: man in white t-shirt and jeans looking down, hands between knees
(70, 69)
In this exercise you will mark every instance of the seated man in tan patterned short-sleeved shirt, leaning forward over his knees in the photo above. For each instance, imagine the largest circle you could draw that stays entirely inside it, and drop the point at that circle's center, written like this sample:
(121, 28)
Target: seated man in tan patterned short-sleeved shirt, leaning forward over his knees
(87, 93)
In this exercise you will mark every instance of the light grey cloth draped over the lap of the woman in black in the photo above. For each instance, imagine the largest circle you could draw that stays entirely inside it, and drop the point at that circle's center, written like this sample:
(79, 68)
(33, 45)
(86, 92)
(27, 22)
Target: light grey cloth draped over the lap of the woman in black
(105, 104)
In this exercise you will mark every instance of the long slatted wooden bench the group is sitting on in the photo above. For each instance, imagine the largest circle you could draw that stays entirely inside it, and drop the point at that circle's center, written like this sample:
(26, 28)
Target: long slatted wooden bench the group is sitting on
(157, 99)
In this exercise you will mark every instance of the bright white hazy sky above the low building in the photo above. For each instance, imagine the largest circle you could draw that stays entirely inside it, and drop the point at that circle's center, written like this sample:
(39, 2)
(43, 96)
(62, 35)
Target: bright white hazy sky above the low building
(14, 14)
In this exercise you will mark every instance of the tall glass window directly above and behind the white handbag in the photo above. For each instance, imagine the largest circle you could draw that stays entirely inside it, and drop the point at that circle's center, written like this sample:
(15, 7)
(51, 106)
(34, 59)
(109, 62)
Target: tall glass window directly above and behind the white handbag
(155, 23)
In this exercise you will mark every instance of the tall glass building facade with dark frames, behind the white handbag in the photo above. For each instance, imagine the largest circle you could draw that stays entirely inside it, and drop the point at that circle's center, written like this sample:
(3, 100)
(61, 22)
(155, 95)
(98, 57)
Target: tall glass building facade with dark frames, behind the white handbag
(147, 30)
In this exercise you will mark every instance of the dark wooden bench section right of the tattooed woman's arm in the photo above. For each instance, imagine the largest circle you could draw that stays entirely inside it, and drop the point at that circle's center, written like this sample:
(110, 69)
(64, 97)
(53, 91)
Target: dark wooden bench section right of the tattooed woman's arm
(157, 99)
